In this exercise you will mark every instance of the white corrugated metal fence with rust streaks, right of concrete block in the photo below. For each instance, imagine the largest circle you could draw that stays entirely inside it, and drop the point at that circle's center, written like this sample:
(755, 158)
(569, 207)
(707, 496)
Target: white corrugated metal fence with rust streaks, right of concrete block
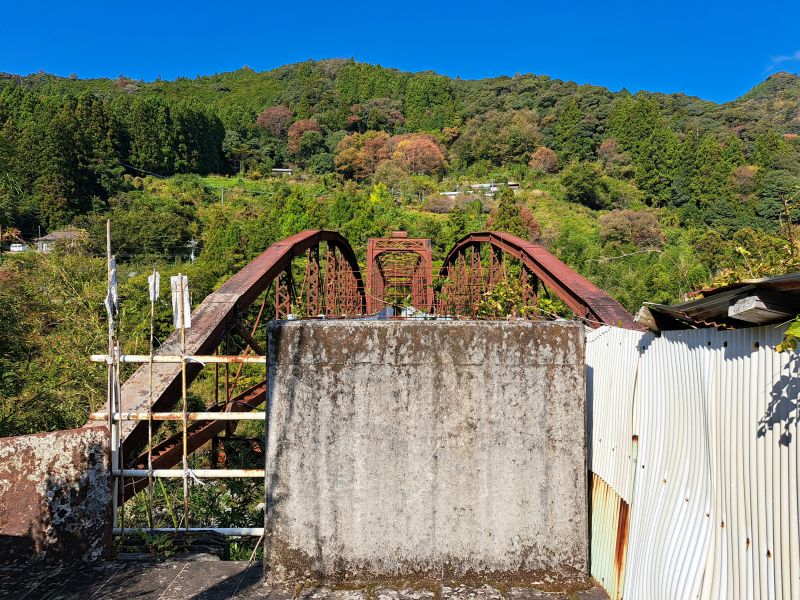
(714, 499)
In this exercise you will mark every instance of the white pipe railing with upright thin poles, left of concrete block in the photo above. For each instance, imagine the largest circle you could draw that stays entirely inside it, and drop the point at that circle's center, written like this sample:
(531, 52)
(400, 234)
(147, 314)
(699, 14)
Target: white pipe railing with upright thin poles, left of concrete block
(114, 416)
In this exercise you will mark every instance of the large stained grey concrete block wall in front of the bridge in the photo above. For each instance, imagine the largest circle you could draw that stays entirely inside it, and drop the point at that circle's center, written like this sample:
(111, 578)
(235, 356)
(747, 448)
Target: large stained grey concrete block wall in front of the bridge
(443, 451)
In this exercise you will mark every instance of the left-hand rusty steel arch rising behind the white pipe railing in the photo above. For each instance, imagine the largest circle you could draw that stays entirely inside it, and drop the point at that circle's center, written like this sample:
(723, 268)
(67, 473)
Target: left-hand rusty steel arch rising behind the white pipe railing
(338, 291)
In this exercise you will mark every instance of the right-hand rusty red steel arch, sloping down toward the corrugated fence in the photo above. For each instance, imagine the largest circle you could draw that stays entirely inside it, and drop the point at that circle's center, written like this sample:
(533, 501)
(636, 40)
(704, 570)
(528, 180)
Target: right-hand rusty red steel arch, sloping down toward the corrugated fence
(467, 279)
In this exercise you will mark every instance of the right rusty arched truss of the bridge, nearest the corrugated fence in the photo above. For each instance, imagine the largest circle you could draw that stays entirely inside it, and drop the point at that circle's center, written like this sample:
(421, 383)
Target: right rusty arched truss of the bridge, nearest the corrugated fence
(477, 264)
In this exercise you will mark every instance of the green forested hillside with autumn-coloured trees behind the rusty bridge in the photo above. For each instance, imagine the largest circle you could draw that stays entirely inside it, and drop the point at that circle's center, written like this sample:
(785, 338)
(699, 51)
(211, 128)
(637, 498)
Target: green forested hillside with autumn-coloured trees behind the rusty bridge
(649, 195)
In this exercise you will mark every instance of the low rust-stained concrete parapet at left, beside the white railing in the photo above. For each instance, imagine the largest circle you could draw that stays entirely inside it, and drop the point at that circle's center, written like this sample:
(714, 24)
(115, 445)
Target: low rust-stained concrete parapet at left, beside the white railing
(55, 499)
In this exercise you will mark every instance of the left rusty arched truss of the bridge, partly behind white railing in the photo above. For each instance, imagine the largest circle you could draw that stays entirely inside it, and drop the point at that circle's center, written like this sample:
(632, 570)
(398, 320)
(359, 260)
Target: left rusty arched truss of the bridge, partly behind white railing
(311, 274)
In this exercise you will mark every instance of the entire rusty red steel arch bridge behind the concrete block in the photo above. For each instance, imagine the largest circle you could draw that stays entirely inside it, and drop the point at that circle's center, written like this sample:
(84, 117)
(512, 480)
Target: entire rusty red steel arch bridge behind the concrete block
(315, 274)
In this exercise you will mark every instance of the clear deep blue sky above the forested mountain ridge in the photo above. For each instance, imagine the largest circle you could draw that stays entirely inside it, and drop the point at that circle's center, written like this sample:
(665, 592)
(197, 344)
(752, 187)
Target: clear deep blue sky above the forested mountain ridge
(715, 50)
